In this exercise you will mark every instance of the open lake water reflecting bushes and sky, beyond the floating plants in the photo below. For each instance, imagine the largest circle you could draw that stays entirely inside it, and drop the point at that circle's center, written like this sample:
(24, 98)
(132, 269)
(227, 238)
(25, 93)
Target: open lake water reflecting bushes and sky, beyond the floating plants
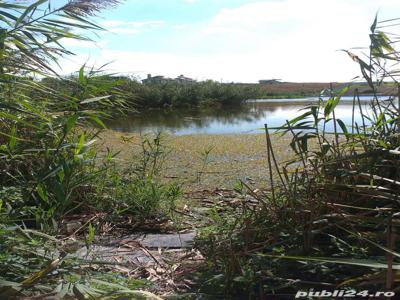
(247, 119)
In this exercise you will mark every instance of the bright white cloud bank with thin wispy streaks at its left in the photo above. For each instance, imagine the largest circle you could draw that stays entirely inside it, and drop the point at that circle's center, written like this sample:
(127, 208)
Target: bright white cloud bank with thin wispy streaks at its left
(288, 39)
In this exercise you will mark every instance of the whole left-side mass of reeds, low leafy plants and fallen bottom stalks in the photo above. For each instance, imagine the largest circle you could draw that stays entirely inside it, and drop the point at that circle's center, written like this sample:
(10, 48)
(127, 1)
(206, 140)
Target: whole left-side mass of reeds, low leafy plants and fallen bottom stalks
(49, 167)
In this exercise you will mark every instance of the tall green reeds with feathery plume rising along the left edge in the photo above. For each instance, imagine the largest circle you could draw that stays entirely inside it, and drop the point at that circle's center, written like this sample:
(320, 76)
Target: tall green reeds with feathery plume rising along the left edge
(44, 149)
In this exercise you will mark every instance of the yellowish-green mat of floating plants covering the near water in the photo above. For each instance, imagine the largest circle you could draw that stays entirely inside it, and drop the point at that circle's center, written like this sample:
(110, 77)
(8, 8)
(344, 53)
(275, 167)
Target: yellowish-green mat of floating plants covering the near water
(206, 161)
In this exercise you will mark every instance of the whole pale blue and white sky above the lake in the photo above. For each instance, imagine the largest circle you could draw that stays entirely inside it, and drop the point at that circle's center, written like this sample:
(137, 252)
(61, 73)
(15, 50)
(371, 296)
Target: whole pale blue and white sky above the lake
(232, 40)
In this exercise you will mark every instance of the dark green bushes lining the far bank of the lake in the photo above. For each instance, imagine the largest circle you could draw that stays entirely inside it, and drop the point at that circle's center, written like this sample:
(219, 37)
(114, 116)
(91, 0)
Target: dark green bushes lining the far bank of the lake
(171, 94)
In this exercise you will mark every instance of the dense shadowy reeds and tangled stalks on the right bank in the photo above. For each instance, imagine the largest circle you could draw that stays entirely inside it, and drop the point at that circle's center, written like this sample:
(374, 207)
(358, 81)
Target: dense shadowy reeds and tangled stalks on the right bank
(330, 217)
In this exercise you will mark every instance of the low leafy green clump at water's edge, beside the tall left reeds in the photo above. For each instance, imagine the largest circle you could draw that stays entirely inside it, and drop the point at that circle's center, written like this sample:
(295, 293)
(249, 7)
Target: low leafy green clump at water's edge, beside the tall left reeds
(137, 190)
